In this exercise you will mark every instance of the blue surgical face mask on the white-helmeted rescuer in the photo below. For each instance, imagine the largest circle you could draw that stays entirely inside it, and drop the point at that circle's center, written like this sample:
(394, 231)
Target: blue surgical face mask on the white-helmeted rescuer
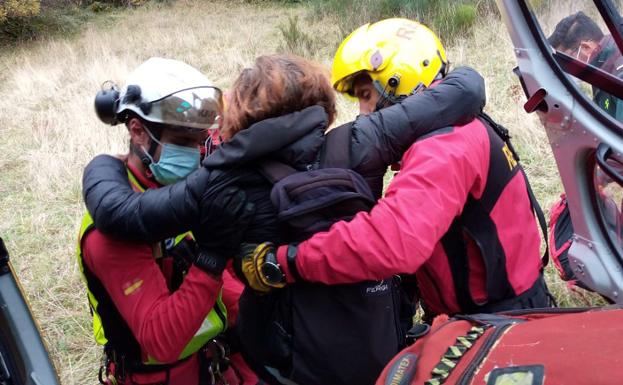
(175, 162)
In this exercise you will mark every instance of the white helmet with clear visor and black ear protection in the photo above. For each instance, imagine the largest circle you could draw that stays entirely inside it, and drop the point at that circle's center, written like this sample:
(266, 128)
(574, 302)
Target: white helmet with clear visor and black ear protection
(163, 91)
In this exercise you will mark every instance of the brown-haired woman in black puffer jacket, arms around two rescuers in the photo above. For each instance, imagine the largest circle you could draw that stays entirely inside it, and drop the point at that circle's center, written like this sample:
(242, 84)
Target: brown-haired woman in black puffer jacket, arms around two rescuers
(279, 110)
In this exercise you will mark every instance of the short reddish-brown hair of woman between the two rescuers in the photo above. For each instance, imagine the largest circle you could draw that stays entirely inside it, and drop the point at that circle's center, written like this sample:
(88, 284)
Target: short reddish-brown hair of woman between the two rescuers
(276, 85)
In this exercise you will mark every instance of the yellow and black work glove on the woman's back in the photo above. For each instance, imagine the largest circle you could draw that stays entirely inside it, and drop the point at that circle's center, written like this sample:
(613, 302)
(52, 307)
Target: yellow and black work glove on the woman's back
(256, 265)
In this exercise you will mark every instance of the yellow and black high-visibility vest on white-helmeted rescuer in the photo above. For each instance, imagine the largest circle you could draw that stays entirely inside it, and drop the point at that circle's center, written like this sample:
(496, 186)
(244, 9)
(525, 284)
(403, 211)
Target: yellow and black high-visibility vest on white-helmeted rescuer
(122, 352)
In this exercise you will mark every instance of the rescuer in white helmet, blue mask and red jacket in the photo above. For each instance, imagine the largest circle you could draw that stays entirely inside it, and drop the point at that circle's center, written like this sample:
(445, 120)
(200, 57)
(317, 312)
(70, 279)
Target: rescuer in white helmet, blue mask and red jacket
(157, 307)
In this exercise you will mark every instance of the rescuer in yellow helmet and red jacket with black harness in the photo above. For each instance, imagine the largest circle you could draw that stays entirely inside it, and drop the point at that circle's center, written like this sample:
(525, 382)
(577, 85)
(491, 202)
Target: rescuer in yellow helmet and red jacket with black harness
(459, 215)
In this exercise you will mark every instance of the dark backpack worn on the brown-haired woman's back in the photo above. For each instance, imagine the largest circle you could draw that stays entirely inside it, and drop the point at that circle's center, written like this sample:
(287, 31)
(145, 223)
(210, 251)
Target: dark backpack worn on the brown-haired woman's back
(314, 333)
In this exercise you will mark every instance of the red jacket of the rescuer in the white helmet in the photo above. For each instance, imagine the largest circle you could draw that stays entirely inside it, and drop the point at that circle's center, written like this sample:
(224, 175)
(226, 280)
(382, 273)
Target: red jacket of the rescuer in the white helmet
(161, 321)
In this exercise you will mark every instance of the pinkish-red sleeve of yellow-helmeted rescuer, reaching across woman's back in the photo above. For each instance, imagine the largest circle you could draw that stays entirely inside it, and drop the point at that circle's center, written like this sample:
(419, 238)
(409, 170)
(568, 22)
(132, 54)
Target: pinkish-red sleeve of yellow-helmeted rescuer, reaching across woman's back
(400, 232)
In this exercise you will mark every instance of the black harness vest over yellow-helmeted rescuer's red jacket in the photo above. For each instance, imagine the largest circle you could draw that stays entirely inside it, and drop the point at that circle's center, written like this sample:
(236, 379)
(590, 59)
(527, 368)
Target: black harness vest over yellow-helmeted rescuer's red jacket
(476, 223)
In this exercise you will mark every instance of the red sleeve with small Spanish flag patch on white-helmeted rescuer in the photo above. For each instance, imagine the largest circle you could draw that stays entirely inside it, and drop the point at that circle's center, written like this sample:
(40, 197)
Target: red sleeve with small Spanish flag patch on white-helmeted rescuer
(162, 322)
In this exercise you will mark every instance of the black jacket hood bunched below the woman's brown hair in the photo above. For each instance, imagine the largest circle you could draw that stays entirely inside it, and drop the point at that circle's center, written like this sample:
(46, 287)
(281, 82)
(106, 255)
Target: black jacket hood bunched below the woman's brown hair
(294, 139)
